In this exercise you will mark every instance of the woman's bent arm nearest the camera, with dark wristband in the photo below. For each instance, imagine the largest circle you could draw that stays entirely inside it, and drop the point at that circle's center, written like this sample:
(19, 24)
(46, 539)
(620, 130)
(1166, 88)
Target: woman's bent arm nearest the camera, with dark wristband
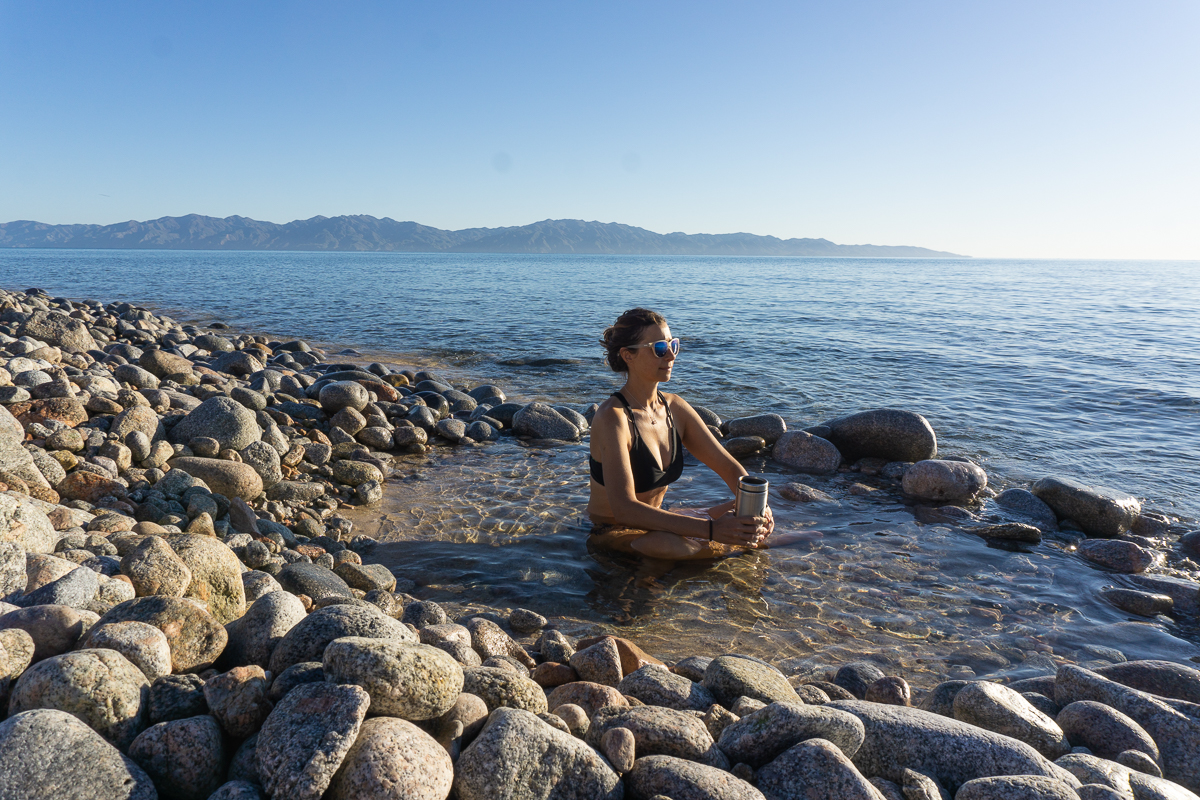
(610, 432)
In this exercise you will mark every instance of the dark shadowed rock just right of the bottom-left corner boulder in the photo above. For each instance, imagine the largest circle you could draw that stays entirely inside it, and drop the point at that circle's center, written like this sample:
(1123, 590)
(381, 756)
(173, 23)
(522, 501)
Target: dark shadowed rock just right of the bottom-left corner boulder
(187, 759)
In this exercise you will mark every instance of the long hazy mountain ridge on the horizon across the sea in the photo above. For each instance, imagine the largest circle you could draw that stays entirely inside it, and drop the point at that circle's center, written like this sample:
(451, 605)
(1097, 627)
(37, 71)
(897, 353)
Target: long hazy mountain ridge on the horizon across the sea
(364, 233)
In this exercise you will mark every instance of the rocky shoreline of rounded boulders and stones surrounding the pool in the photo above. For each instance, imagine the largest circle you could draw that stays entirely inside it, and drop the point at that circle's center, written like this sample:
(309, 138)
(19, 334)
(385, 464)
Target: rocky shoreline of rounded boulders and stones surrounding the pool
(184, 613)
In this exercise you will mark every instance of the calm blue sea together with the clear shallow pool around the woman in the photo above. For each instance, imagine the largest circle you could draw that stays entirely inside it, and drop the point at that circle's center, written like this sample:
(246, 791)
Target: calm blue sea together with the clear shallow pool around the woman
(1087, 370)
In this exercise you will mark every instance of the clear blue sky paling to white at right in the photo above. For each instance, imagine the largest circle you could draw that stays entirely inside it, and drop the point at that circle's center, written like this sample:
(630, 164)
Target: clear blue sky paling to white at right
(1017, 129)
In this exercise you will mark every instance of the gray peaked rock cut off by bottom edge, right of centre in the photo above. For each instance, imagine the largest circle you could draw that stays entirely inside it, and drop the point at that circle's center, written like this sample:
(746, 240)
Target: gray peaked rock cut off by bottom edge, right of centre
(812, 771)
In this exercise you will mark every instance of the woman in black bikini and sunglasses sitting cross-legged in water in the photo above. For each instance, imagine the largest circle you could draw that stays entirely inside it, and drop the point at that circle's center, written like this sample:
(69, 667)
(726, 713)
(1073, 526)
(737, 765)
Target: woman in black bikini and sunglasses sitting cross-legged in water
(638, 440)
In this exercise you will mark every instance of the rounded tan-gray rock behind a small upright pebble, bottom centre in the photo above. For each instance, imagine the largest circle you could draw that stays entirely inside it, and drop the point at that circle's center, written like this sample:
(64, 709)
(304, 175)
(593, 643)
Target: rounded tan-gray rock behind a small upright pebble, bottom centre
(658, 731)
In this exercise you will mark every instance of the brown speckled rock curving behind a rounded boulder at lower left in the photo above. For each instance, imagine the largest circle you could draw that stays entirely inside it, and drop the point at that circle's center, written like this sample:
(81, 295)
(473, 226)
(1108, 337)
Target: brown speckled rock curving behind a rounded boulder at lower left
(196, 640)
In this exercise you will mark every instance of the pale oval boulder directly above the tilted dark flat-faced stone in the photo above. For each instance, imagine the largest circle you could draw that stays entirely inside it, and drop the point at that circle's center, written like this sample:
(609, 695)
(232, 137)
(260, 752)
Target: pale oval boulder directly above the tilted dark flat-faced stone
(407, 681)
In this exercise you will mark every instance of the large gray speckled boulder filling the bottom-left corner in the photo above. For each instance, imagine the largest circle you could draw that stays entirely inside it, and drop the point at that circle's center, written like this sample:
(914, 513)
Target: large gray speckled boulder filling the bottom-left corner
(49, 754)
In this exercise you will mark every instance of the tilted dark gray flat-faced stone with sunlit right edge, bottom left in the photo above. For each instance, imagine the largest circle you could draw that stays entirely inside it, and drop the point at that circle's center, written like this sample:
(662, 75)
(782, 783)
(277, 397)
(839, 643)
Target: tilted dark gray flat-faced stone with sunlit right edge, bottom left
(308, 736)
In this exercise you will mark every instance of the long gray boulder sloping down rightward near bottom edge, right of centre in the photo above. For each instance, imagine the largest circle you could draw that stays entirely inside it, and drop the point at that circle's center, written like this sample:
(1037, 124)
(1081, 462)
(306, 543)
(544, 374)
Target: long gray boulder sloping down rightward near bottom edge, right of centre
(951, 751)
